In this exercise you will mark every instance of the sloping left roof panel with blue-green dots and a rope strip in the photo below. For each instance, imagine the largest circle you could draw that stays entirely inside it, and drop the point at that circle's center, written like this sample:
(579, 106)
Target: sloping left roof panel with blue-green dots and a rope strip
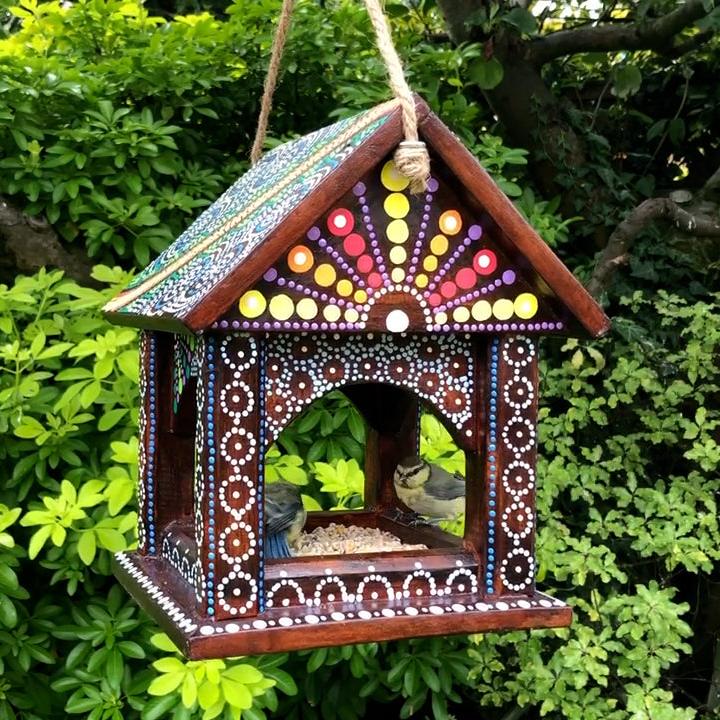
(242, 218)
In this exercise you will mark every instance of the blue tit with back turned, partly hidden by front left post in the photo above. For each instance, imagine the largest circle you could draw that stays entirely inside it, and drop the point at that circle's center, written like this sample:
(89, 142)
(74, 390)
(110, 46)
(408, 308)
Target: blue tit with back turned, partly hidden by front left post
(284, 518)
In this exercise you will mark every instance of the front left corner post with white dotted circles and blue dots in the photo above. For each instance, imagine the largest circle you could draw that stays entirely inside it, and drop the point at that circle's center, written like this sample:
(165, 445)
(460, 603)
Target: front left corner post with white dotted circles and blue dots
(228, 479)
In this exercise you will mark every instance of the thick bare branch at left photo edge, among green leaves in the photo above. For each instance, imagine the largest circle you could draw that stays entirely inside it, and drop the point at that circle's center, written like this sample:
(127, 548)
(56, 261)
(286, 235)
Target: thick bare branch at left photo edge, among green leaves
(28, 243)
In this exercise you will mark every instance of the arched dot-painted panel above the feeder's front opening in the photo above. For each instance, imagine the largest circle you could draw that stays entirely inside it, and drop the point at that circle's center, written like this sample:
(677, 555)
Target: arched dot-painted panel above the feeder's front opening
(304, 367)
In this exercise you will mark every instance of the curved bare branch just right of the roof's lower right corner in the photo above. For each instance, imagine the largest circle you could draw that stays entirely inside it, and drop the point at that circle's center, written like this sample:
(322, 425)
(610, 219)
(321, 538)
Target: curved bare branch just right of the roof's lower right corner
(616, 252)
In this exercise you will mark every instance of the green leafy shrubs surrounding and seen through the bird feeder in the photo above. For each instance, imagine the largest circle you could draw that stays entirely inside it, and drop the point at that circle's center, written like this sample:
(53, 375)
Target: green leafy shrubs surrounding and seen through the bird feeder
(119, 126)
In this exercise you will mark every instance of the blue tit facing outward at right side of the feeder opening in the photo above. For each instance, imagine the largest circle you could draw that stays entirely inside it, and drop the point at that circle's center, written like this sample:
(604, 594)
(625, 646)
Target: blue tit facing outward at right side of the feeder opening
(428, 489)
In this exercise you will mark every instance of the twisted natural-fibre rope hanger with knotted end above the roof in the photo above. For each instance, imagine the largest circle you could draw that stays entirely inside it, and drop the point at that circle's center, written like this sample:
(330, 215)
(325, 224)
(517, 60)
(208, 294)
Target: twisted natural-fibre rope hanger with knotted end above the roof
(411, 157)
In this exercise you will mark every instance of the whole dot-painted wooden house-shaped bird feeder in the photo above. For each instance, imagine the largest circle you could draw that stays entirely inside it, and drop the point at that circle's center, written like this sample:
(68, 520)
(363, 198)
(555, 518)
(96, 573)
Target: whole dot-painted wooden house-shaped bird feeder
(323, 268)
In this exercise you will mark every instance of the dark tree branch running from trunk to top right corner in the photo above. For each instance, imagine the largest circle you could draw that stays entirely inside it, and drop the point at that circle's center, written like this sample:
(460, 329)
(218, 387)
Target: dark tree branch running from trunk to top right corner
(654, 35)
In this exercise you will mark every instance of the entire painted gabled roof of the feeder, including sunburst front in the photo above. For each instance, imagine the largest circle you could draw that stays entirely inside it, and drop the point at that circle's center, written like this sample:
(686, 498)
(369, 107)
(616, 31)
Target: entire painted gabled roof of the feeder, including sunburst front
(323, 234)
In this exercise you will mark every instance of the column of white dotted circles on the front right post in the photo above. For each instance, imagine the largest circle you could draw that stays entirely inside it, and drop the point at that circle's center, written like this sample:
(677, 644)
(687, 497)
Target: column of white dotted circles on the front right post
(518, 448)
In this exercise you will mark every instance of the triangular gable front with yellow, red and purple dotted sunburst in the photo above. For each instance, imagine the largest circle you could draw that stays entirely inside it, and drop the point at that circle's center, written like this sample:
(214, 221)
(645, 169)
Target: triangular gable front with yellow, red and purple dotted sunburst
(383, 259)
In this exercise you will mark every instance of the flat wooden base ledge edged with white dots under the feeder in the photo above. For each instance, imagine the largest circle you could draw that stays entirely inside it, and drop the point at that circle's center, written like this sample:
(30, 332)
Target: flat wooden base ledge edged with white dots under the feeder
(153, 584)
